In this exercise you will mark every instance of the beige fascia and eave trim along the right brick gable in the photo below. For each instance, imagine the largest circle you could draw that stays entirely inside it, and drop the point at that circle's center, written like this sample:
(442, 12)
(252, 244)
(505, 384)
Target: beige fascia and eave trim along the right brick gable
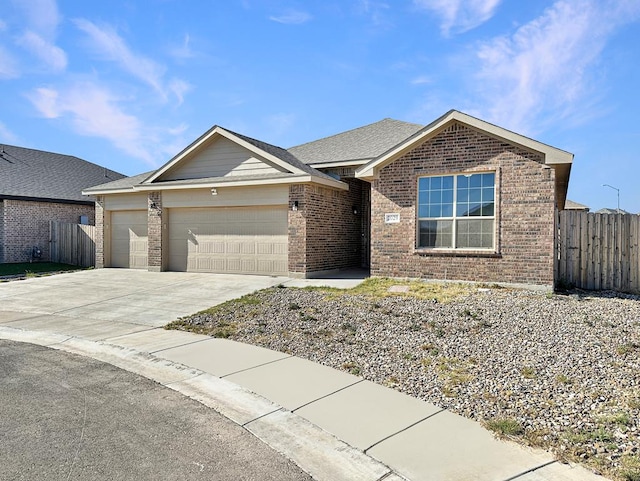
(559, 160)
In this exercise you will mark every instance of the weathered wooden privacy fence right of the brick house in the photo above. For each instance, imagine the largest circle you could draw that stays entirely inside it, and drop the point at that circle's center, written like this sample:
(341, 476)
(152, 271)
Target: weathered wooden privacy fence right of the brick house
(598, 251)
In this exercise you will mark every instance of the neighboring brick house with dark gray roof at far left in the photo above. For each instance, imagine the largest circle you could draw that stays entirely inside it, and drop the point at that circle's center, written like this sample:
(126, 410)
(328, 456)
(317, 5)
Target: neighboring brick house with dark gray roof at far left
(36, 187)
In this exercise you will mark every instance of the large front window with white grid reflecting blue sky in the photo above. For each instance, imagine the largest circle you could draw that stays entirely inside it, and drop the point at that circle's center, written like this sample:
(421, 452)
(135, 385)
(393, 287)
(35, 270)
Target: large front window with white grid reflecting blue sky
(456, 211)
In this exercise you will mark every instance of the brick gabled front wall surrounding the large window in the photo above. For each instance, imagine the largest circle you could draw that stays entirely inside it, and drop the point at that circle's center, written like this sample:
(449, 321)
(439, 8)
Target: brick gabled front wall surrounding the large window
(524, 212)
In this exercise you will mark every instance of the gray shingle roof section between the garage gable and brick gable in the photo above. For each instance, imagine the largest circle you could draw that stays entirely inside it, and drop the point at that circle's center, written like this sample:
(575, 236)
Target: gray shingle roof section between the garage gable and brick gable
(363, 143)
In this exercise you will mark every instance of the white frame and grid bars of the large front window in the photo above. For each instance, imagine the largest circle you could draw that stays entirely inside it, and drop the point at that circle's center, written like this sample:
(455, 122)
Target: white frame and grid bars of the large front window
(455, 218)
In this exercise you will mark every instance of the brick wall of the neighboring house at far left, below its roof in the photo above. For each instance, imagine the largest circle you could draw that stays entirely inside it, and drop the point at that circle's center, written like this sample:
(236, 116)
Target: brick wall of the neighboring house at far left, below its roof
(26, 224)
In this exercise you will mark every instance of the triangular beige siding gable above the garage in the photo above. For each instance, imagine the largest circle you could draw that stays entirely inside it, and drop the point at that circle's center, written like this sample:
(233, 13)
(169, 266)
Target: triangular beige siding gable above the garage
(221, 158)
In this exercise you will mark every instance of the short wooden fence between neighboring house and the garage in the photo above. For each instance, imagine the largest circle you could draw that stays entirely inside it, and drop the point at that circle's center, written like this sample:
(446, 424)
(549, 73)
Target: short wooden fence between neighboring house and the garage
(73, 244)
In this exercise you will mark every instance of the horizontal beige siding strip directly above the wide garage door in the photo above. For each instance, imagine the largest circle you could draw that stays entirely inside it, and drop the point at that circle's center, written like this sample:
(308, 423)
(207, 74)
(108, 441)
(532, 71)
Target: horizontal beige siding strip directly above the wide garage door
(227, 197)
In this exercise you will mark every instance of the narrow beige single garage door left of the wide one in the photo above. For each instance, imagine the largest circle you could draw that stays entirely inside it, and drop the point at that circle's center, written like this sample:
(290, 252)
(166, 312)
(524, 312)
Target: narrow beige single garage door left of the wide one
(129, 239)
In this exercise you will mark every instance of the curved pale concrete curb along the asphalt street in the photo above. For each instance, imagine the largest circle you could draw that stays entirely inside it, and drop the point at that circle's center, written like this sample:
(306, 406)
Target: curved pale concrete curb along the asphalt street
(315, 451)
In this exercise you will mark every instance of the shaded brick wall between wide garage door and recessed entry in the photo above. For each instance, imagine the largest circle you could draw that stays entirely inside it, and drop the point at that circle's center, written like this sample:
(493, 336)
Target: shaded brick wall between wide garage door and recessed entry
(324, 233)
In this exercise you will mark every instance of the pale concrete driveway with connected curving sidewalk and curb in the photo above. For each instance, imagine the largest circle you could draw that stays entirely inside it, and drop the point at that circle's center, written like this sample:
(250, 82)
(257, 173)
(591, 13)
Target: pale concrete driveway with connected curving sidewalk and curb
(332, 424)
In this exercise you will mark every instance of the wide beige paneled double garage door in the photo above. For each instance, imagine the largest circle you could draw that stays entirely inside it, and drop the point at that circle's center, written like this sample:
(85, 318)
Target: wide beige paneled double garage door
(238, 240)
